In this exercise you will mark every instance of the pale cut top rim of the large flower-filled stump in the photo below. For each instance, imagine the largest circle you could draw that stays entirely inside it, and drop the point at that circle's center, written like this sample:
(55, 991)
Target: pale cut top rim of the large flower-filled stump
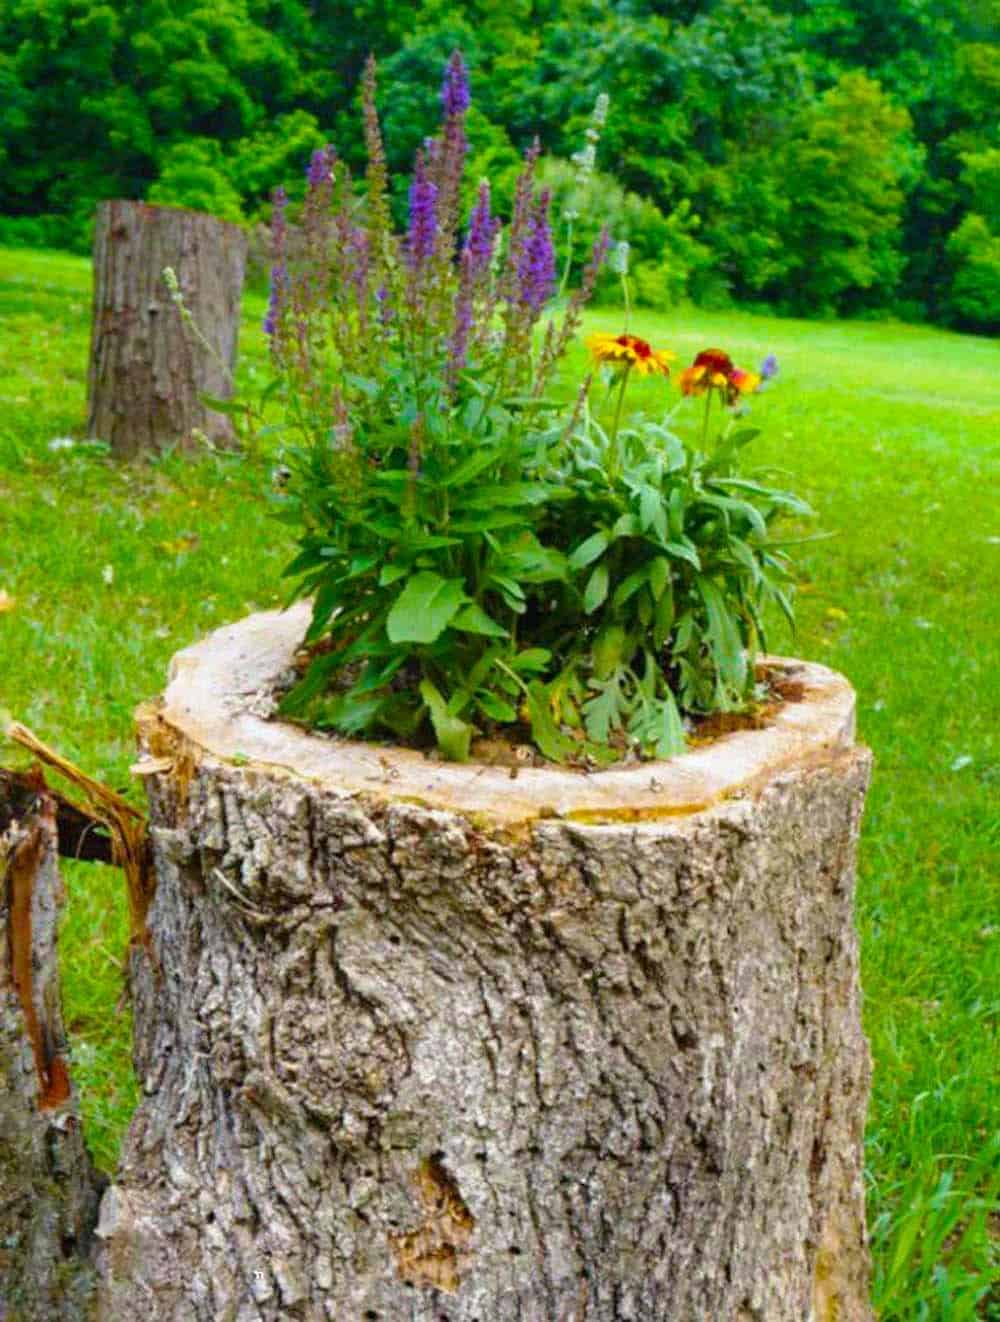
(214, 685)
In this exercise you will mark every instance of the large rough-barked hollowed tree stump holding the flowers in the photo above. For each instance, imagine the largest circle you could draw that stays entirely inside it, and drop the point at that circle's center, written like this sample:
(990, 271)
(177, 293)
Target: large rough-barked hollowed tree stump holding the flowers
(428, 1042)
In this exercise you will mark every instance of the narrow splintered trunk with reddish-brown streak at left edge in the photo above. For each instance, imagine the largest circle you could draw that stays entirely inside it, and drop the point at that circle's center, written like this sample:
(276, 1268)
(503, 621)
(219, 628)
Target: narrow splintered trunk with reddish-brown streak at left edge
(48, 1188)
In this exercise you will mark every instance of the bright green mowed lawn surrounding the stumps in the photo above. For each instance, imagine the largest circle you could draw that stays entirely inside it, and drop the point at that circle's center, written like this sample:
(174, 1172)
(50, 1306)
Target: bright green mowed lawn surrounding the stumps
(892, 432)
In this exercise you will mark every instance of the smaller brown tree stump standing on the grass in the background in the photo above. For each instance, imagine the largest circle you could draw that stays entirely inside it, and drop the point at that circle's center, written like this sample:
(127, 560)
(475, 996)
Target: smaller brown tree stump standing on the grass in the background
(146, 367)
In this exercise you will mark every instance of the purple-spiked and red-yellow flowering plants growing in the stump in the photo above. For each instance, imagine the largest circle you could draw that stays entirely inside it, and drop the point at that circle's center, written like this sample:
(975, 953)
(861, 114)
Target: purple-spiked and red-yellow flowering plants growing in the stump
(482, 556)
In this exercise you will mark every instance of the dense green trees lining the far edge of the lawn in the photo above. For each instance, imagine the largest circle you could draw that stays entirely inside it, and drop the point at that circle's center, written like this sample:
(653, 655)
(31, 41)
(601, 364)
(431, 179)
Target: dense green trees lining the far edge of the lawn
(817, 155)
